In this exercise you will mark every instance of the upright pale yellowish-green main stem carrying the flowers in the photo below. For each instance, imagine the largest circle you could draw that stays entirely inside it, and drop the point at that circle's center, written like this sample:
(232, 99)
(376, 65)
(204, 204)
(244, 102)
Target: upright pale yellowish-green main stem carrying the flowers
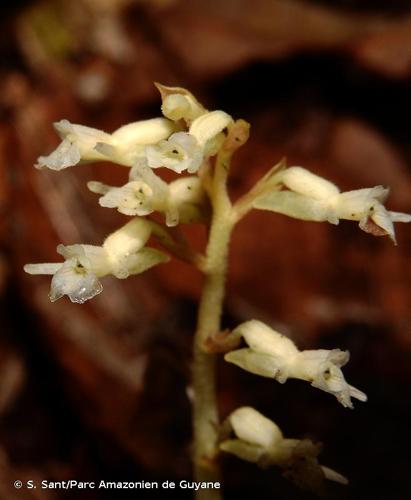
(205, 418)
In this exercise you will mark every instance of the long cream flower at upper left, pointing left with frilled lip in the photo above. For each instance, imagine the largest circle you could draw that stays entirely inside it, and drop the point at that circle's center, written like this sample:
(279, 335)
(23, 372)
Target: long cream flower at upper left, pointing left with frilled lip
(124, 146)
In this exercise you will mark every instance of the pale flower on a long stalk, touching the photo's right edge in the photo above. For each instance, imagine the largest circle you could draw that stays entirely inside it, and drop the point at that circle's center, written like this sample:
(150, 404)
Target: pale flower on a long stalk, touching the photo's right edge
(310, 197)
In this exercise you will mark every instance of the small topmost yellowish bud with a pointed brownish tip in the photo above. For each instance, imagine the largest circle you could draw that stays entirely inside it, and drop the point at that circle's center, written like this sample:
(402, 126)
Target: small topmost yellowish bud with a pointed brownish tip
(179, 104)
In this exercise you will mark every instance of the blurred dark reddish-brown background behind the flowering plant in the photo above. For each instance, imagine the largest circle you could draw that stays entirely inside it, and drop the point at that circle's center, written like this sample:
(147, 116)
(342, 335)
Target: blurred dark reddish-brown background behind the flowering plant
(99, 391)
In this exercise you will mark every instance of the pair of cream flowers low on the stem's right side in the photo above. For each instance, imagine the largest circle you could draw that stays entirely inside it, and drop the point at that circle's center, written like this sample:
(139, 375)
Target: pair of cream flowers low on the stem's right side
(258, 439)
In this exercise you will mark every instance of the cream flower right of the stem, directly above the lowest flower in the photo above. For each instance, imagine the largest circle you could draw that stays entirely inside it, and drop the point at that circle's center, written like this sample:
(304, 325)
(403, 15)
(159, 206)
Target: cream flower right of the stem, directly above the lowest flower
(271, 354)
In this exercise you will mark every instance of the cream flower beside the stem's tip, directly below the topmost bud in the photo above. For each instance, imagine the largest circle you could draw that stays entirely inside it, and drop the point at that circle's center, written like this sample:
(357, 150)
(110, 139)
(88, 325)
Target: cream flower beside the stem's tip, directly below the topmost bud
(187, 150)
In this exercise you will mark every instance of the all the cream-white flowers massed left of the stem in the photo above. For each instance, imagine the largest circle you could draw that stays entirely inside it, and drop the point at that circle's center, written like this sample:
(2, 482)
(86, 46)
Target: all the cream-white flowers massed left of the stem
(182, 140)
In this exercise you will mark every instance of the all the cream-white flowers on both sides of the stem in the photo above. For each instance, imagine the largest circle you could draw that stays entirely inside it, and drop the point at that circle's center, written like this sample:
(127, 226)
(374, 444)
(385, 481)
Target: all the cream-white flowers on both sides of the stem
(184, 140)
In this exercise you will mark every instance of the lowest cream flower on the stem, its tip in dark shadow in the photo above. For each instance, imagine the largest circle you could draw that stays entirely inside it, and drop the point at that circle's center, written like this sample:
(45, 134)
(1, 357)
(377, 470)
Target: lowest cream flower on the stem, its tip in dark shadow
(259, 440)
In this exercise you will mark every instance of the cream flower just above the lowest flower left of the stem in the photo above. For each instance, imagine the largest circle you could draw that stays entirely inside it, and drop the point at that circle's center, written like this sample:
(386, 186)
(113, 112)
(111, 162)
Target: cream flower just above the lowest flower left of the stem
(183, 200)
